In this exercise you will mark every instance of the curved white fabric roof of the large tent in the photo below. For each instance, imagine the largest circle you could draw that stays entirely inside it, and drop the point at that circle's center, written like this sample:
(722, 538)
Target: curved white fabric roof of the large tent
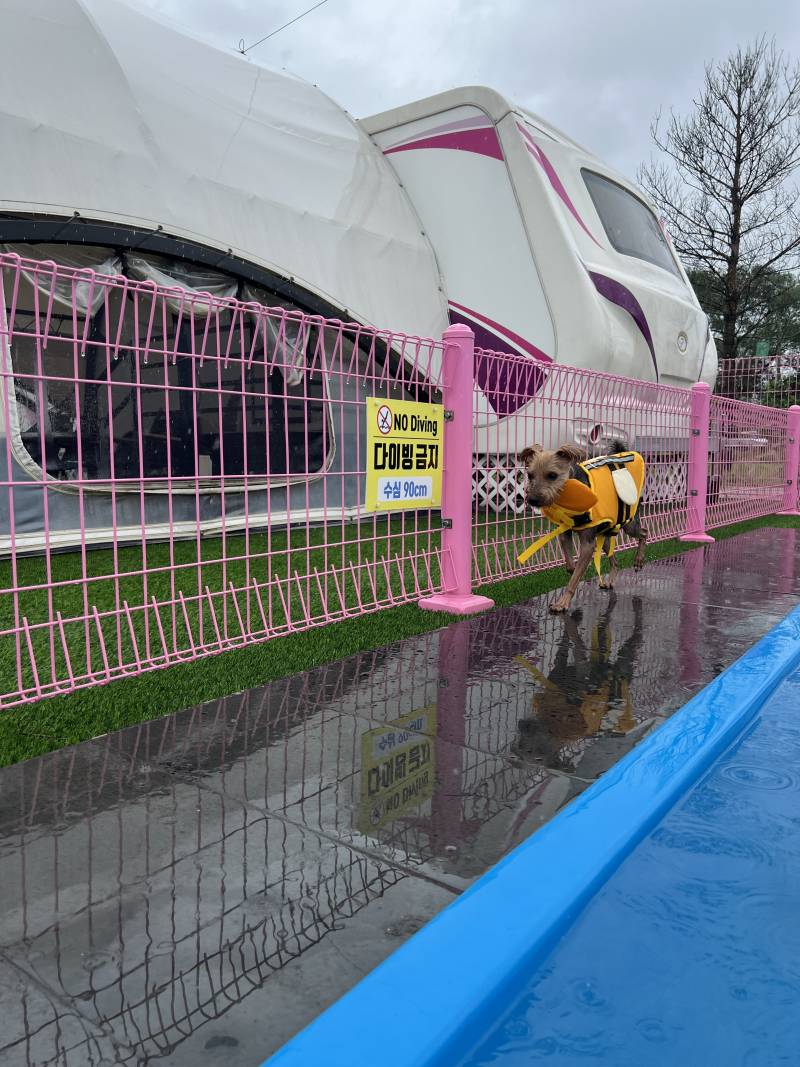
(123, 119)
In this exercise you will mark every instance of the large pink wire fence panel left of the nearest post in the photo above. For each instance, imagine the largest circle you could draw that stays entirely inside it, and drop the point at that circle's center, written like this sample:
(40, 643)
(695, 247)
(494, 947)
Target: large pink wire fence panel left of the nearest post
(182, 475)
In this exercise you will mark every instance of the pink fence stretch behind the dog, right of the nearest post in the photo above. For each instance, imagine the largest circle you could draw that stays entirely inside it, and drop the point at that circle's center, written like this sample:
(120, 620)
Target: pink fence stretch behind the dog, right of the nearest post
(711, 460)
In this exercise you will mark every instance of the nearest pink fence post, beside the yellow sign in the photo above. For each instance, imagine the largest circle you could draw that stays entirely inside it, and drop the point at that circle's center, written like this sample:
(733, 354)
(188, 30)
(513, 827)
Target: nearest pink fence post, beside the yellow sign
(458, 376)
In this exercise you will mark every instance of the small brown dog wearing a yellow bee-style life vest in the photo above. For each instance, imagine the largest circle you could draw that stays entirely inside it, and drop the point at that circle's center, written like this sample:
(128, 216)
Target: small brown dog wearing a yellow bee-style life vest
(549, 473)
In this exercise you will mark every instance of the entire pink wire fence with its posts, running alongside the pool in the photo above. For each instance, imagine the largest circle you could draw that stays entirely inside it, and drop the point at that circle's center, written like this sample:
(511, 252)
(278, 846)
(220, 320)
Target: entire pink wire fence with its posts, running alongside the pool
(182, 474)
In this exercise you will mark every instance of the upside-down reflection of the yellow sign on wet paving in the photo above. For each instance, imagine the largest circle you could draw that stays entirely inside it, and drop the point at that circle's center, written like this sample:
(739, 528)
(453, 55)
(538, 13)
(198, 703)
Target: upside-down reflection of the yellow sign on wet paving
(397, 769)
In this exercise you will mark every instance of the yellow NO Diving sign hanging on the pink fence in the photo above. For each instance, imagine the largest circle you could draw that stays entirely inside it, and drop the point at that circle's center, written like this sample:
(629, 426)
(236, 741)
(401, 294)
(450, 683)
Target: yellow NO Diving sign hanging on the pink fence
(405, 455)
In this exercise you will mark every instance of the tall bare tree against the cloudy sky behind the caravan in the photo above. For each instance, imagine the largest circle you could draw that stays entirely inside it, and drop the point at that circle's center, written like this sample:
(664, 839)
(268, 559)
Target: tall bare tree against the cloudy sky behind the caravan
(726, 192)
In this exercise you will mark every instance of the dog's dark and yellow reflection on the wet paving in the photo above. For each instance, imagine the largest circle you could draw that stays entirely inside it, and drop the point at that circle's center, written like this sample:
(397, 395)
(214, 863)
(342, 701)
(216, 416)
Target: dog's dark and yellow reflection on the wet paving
(578, 698)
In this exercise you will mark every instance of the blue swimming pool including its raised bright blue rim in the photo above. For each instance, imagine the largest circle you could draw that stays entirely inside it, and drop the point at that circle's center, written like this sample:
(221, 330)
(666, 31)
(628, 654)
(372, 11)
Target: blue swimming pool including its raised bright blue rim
(652, 922)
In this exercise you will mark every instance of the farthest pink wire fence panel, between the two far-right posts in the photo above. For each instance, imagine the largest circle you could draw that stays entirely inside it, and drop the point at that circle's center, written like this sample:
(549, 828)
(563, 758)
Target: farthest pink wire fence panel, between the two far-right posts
(747, 459)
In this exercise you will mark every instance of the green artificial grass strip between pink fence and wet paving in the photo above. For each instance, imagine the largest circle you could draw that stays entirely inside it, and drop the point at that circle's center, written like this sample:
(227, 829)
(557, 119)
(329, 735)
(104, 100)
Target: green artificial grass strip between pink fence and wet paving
(31, 730)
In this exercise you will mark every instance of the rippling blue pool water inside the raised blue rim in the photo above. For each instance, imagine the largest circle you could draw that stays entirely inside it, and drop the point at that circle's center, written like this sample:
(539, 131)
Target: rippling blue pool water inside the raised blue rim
(691, 954)
